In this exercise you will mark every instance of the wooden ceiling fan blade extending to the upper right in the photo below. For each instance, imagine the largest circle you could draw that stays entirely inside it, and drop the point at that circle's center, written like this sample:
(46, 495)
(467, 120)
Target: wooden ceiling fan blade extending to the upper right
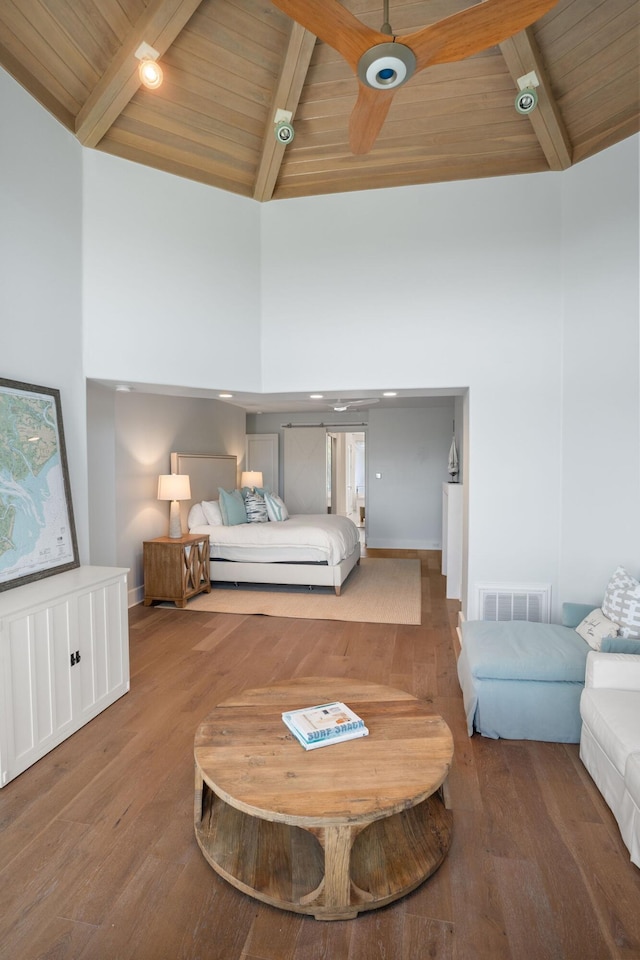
(473, 30)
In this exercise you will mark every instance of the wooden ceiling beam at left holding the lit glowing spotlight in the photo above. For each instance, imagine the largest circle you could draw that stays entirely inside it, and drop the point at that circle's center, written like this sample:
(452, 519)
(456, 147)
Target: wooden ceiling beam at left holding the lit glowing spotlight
(159, 26)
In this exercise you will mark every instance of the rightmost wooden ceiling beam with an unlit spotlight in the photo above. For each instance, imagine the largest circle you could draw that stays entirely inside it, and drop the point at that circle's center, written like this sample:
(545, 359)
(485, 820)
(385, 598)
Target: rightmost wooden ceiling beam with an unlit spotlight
(522, 55)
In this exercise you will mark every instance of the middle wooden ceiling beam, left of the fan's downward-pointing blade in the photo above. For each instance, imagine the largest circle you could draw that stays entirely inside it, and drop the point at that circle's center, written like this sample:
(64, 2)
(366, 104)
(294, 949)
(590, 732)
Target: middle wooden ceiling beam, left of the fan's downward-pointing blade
(286, 97)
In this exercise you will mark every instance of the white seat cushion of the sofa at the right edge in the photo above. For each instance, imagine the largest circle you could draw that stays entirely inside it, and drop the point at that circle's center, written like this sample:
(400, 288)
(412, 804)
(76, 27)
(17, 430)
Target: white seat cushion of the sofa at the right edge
(612, 718)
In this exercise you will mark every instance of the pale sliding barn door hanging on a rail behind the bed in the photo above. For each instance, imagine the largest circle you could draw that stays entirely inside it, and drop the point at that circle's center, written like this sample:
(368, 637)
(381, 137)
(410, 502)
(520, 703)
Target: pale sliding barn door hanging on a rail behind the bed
(305, 469)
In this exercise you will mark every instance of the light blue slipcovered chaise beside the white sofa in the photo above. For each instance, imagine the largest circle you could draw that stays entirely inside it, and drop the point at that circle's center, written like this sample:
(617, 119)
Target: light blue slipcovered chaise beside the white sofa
(523, 681)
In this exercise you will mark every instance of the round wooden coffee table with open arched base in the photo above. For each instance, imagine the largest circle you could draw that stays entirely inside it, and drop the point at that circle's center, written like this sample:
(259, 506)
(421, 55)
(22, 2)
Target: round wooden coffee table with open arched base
(329, 832)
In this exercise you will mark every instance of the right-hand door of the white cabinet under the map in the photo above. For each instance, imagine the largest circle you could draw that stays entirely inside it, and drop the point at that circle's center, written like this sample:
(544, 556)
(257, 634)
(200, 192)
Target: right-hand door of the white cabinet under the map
(102, 642)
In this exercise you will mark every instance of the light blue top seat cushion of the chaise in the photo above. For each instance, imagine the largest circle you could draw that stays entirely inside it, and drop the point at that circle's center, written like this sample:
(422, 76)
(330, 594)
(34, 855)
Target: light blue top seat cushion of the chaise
(519, 650)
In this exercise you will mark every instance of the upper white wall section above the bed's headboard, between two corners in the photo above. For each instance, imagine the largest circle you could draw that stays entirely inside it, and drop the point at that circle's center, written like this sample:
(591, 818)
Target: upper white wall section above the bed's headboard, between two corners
(171, 279)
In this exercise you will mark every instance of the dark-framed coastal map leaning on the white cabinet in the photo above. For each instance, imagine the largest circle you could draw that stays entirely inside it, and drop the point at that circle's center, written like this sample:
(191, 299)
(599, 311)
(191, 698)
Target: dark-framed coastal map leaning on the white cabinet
(37, 530)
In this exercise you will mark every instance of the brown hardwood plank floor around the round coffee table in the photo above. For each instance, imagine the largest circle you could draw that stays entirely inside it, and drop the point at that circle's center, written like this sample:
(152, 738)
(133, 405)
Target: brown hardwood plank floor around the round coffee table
(98, 859)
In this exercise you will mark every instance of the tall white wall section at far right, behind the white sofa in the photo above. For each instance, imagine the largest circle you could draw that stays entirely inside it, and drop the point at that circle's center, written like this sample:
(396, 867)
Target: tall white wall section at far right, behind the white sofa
(601, 362)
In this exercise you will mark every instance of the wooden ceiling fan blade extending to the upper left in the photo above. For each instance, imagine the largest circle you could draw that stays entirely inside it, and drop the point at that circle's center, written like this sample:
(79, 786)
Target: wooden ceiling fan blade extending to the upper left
(333, 24)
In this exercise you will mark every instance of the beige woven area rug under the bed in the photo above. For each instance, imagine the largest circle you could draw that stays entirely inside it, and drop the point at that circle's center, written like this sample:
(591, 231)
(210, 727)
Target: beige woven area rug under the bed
(376, 591)
